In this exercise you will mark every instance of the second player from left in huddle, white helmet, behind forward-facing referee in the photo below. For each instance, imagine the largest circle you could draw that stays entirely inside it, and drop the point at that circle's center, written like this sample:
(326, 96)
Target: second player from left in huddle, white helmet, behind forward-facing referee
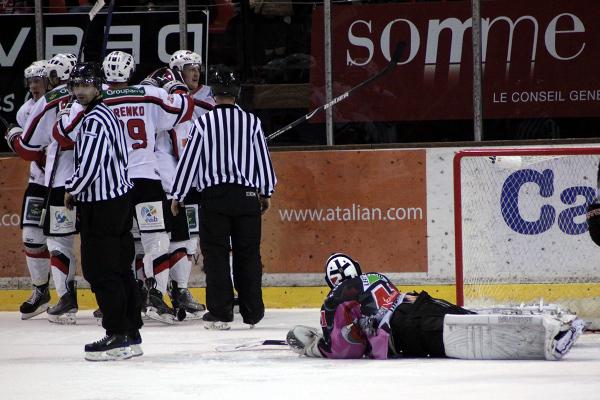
(36, 144)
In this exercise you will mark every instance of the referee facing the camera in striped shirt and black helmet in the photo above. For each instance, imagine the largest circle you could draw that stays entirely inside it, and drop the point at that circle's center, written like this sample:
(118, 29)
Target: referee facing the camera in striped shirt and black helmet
(101, 188)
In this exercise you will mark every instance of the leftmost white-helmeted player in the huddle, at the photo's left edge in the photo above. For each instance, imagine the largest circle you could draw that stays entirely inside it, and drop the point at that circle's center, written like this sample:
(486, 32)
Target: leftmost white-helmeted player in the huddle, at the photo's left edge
(36, 251)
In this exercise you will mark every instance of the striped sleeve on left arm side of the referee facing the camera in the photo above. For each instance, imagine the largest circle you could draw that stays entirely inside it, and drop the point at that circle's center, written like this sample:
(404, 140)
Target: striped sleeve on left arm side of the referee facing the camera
(93, 150)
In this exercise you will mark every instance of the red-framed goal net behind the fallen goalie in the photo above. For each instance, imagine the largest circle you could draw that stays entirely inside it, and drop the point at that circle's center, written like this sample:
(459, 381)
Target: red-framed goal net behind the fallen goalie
(520, 228)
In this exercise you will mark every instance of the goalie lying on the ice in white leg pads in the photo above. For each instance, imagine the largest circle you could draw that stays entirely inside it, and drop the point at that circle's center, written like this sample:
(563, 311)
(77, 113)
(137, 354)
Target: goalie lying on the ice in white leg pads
(365, 315)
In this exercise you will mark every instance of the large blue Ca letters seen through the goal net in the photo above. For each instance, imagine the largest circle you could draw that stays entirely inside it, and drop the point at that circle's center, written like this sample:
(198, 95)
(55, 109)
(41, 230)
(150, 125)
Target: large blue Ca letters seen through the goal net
(575, 199)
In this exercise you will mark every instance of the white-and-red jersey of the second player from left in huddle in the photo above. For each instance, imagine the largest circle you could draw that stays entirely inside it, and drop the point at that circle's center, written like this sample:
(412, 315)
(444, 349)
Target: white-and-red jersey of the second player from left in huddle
(37, 142)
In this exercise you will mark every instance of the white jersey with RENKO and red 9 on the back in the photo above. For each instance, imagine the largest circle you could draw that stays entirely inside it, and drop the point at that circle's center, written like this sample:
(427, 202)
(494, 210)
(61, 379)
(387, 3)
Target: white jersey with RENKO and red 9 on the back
(144, 111)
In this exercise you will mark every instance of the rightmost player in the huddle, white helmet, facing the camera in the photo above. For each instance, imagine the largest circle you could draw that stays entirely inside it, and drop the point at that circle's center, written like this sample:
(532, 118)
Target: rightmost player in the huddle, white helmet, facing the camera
(169, 145)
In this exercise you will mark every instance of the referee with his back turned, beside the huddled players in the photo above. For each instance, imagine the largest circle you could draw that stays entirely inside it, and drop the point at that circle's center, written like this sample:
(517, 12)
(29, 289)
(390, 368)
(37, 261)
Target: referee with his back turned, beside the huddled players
(227, 160)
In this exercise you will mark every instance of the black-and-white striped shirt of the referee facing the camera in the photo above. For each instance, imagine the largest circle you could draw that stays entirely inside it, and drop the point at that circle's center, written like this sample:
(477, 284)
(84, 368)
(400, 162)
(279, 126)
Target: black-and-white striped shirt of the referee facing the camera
(100, 157)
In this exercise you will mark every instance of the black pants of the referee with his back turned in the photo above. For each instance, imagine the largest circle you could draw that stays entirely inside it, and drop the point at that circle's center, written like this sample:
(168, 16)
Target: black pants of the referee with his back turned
(227, 212)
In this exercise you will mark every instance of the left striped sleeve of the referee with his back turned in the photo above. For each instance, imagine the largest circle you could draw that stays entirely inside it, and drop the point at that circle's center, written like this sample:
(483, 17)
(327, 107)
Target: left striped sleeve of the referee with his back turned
(187, 167)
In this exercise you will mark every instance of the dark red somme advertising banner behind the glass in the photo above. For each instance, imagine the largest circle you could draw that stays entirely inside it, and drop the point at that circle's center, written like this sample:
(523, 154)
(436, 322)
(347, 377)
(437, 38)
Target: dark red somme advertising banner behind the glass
(540, 60)
